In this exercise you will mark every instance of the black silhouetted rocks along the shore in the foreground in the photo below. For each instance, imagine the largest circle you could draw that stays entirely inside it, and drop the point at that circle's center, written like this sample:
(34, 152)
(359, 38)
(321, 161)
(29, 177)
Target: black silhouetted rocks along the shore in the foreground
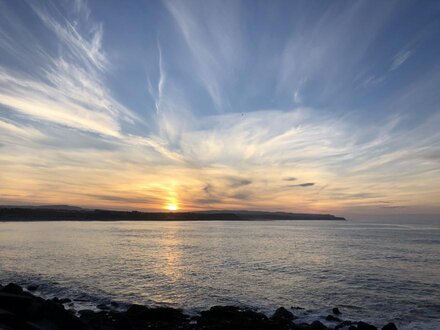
(20, 309)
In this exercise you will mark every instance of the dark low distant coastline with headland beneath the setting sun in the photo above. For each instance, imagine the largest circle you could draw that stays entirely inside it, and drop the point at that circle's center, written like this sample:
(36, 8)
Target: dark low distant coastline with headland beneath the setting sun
(72, 213)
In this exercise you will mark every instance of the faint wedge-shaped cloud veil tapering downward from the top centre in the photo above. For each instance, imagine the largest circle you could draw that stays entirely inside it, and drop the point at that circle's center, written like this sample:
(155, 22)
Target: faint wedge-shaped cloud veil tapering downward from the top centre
(214, 40)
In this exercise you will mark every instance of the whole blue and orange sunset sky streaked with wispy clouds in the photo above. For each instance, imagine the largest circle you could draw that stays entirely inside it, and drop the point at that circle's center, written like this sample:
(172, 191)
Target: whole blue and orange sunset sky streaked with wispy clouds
(302, 106)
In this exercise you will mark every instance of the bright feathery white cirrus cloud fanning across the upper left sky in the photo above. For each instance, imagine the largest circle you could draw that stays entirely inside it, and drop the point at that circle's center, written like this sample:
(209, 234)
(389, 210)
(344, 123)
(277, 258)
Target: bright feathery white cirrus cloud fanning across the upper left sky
(67, 88)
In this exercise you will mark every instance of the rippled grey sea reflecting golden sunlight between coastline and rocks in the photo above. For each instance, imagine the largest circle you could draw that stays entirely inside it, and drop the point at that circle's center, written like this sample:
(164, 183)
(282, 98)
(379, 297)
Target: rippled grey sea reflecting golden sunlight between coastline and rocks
(376, 272)
